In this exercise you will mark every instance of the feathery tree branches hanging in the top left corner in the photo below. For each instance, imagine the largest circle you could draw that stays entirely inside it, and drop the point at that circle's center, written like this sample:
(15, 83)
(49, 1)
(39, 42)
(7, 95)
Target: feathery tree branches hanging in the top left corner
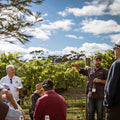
(13, 18)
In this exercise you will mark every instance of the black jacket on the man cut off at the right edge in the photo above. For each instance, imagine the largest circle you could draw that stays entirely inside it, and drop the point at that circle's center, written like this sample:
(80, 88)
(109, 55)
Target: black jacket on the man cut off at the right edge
(112, 86)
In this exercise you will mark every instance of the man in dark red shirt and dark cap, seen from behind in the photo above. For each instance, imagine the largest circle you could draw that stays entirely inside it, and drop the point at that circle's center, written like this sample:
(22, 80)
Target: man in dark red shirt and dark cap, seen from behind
(51, 105)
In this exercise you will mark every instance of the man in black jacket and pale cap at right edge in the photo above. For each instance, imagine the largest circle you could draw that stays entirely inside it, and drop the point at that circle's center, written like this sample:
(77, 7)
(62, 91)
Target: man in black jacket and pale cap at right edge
(112, 88)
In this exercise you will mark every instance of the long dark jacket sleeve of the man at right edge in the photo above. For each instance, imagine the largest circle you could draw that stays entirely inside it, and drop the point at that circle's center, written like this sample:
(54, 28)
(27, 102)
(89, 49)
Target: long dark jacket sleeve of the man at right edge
(111, 84)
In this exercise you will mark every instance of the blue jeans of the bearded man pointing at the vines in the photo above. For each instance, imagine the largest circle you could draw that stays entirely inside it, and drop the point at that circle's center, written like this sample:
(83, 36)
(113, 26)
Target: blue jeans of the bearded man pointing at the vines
(95, 104)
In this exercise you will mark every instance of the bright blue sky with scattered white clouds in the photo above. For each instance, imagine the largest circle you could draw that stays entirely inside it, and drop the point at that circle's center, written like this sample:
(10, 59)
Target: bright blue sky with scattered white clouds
(80, 25)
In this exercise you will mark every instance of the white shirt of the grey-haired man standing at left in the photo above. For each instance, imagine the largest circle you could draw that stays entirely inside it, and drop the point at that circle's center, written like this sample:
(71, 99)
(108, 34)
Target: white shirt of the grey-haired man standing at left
(16, 82)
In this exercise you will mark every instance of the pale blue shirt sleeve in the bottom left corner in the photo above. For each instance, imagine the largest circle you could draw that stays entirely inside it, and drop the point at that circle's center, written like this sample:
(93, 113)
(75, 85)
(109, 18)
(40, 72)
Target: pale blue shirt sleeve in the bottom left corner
(13, 114)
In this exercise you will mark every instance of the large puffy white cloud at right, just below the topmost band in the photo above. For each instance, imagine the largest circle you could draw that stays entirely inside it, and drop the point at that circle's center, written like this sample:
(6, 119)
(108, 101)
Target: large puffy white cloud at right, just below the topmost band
(100, 26)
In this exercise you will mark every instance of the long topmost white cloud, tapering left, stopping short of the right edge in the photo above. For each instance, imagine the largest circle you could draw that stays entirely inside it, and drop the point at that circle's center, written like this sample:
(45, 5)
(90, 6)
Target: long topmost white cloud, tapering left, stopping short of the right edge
(95, 7)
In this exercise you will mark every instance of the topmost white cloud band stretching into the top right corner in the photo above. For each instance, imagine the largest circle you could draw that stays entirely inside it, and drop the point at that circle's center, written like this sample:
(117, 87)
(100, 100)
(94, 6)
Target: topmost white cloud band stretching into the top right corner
(94, 8)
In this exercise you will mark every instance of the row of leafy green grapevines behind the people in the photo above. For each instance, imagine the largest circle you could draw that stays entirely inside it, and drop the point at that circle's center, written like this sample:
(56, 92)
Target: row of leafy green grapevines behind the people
(35, 71)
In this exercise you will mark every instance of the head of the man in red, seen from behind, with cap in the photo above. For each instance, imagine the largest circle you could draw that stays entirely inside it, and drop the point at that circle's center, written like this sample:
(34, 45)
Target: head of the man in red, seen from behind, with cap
(48, 84)
